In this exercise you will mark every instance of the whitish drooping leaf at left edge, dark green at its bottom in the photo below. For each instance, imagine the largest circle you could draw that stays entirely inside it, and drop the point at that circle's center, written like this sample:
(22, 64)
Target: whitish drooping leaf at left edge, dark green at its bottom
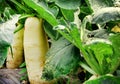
(6, 36)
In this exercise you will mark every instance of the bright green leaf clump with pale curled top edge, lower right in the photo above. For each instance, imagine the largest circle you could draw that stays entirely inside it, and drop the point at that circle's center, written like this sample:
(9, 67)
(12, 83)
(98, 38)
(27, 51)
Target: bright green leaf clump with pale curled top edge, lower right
(103, 53)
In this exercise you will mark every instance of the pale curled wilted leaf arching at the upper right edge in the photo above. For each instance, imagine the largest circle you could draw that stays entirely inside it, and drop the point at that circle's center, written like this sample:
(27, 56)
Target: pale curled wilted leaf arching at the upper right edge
(105, 15)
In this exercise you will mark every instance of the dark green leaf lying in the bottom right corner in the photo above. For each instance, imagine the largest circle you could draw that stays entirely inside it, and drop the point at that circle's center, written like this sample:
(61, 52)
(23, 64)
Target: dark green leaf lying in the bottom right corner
(105, 79)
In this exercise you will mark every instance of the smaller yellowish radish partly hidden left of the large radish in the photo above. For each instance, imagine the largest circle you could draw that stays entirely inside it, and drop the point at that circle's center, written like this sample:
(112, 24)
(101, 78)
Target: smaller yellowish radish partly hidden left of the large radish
(14, 61)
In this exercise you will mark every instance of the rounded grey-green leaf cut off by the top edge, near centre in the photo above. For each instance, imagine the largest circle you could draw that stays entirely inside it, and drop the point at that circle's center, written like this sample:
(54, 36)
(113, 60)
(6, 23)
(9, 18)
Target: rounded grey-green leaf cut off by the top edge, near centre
(68, 4)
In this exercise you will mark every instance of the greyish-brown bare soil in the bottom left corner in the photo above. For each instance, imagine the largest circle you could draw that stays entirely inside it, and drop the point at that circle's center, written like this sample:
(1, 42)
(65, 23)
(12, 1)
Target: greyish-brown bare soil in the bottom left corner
(11, 76)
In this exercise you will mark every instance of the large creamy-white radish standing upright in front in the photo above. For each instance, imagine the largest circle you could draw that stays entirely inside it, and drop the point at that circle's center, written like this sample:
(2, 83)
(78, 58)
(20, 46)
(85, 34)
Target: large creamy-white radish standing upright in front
(35, 48)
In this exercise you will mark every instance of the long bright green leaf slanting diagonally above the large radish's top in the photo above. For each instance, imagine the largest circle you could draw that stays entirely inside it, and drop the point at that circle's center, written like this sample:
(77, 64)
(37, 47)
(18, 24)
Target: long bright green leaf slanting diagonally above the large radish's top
(42, 11)
